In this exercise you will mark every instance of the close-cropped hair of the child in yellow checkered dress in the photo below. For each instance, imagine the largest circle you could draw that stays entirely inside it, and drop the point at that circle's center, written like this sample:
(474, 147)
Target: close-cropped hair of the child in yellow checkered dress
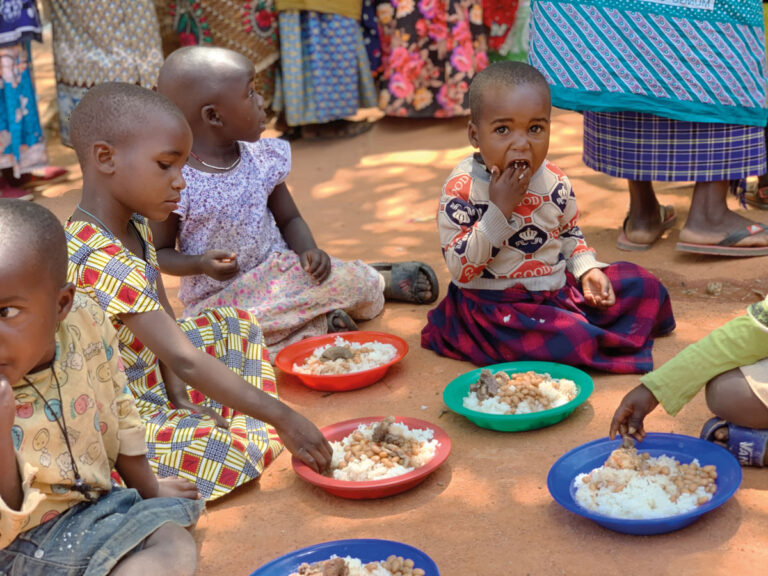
(114, 112)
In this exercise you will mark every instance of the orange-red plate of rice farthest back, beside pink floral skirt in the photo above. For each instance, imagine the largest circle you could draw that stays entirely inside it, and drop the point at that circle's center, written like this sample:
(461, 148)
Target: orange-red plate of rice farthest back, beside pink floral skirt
(341, 362)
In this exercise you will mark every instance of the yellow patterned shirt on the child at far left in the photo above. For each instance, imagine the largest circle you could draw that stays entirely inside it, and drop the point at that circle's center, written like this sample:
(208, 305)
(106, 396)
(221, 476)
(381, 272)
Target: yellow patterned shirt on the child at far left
(100, 414)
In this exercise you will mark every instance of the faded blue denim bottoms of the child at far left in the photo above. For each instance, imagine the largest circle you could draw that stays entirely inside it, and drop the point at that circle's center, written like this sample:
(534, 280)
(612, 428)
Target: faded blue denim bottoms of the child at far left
(89, 539)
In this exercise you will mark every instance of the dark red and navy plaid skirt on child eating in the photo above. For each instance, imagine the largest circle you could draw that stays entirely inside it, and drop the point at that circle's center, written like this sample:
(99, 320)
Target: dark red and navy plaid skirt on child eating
(491, 326)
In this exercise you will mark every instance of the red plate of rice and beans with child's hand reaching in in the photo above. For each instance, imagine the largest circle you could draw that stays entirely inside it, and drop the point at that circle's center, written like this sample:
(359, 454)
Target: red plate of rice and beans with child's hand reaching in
(376, 457)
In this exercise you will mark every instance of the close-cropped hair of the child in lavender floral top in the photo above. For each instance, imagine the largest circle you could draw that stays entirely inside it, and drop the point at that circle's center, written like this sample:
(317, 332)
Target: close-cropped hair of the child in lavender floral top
(196, 76)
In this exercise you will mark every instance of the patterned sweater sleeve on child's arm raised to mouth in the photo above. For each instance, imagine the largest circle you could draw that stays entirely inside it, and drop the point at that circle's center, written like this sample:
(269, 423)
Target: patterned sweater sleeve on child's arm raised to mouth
(469, 237)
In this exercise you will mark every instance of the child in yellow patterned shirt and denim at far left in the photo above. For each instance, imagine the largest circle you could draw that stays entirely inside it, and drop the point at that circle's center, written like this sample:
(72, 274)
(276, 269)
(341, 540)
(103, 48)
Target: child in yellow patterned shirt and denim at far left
(66, 419)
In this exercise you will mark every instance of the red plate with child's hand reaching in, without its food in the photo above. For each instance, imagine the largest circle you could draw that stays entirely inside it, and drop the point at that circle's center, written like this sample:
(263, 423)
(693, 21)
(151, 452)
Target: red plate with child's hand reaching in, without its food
(375, 488)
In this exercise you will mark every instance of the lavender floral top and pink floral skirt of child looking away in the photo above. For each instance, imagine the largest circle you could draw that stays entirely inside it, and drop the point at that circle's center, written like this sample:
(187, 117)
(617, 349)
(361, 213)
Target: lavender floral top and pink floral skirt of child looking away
(229, 211)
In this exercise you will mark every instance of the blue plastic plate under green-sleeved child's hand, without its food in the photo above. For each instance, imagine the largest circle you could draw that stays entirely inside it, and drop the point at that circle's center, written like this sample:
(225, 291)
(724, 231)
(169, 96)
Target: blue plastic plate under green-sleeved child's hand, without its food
(586, 457)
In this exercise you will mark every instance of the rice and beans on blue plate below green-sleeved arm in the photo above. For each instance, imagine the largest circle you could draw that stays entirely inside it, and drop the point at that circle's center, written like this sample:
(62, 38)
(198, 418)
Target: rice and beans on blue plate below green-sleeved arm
(638, 486)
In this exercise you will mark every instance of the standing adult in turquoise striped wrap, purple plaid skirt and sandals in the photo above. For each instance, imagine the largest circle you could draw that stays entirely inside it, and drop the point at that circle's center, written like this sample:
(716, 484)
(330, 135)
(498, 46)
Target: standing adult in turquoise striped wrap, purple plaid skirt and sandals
(672, 90)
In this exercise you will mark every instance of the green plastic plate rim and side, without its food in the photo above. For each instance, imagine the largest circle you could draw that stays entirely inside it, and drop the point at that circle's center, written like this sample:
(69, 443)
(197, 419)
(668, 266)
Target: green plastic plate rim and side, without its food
(458, 388)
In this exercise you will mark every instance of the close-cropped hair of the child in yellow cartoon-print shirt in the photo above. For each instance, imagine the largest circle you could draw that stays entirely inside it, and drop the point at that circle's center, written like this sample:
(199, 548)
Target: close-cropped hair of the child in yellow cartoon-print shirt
(32, 234)
